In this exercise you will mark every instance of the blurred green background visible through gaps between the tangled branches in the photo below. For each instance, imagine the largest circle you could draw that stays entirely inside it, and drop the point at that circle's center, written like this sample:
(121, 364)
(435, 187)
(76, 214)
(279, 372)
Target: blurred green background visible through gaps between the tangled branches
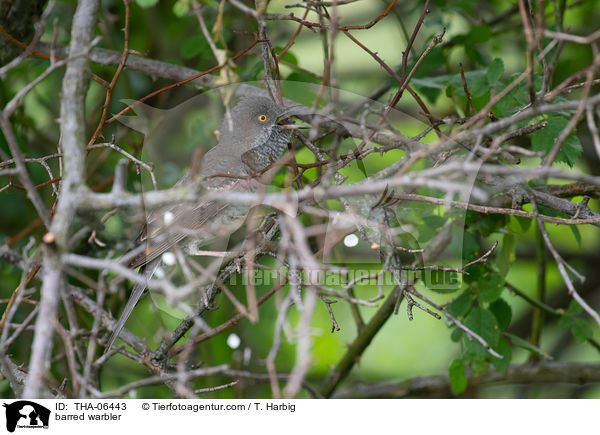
(476, 34)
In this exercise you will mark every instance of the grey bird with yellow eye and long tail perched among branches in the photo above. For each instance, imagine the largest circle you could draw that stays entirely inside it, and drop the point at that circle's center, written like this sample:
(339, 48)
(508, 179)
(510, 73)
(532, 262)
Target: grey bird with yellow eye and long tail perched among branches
(251, 140)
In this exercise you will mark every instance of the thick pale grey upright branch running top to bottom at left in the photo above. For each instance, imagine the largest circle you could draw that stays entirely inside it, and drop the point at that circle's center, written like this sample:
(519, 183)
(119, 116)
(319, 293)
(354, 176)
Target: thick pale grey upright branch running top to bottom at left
(73, 123)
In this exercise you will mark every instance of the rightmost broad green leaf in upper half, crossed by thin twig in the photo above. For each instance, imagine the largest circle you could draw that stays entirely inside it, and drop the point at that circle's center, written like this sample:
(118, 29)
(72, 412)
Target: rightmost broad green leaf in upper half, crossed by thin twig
(545, 139)
